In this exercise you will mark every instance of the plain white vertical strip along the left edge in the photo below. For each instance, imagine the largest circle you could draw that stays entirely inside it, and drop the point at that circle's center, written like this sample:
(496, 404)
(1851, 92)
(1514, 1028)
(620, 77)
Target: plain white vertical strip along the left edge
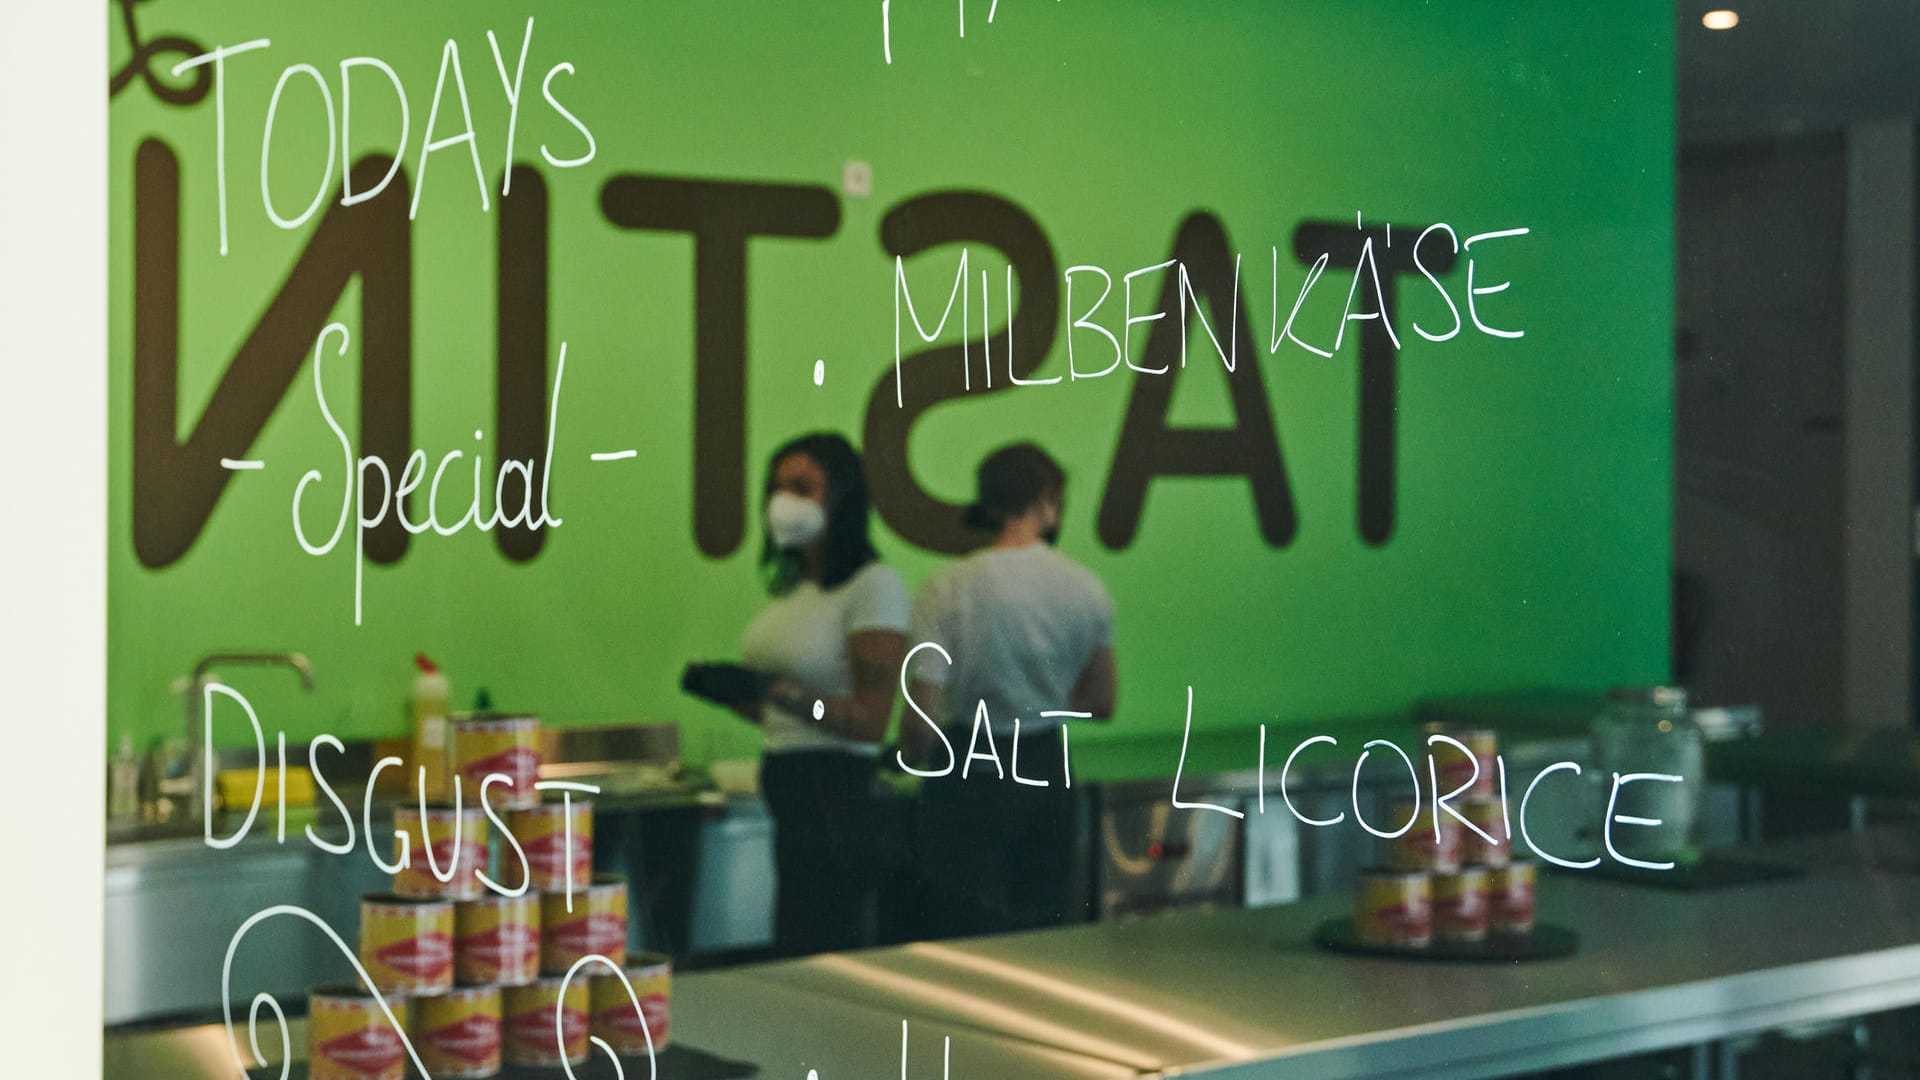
(53, 533)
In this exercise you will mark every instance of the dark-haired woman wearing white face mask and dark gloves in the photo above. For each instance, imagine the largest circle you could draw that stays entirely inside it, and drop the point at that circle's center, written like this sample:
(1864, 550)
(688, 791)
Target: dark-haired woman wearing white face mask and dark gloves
(819, 672)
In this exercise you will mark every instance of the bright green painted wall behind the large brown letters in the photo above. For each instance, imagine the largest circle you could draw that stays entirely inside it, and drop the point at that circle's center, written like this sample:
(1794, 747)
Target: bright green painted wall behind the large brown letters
(1533, 497)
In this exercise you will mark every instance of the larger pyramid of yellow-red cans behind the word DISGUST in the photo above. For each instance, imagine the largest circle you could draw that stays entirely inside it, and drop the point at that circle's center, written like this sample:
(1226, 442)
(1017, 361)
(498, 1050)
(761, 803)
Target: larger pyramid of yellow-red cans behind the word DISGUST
(479, 979)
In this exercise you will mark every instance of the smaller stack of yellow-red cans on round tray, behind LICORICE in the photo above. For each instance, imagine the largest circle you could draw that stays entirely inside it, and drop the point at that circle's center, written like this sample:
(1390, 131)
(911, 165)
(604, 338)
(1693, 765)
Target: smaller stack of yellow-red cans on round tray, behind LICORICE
(1443, 881)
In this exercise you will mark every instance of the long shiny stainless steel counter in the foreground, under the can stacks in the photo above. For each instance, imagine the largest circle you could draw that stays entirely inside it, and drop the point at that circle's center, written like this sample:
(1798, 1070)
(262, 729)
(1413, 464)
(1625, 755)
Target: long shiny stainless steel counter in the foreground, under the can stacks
(1247, 994)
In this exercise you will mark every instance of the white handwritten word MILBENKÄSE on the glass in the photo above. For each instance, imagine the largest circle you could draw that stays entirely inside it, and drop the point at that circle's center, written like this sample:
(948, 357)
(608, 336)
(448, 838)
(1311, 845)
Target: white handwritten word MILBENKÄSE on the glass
(1368, 301)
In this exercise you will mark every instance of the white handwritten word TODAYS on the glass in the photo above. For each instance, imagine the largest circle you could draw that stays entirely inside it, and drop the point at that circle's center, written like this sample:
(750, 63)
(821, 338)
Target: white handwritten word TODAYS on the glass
(339, 145)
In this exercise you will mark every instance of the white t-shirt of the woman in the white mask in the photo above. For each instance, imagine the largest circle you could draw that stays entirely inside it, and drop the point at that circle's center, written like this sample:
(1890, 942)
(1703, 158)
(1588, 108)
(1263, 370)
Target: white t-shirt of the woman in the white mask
(804, 637)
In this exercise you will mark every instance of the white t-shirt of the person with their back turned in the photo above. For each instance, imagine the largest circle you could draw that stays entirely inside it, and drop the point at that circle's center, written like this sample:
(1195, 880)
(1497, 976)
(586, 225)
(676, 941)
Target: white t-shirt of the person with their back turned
(1020, 626)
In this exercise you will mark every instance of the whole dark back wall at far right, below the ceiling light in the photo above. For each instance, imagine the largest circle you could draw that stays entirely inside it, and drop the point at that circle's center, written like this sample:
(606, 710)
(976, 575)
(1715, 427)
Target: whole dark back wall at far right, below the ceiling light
(1794, 420)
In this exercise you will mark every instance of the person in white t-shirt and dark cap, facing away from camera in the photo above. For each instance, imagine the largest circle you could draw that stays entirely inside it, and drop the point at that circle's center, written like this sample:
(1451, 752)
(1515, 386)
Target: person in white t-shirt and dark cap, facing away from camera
(1028, 641)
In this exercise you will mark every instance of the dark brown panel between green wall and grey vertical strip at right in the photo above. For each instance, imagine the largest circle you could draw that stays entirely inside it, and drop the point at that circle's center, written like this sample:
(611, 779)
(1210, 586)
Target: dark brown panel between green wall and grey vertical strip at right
(1760, 401)
